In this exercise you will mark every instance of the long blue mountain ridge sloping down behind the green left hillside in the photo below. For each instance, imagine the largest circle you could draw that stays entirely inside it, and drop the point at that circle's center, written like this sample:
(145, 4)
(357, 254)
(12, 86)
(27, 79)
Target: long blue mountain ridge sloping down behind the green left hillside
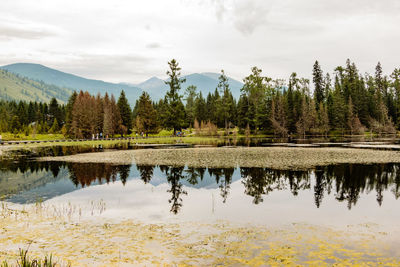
(51, 76)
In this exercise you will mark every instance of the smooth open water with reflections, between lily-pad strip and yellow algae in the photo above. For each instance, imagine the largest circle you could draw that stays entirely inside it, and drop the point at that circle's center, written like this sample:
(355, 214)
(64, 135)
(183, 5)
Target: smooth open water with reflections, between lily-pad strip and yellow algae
(334, 195)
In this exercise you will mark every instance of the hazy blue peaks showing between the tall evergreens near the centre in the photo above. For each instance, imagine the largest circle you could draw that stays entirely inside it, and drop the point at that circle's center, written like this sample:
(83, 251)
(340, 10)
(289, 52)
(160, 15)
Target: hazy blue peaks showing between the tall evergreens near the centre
(205, 82)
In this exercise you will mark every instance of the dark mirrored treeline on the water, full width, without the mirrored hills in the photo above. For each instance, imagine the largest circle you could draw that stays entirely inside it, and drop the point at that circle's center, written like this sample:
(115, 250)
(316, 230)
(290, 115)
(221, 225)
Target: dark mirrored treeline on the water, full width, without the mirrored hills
(347, 182)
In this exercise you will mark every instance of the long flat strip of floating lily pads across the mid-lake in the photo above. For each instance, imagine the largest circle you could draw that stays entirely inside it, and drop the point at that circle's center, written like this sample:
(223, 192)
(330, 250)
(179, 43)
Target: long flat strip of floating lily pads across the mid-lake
(294, 158)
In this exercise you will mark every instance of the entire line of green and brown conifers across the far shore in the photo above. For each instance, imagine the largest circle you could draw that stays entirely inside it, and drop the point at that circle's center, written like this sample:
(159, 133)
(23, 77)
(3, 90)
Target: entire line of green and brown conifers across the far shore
(342, 102)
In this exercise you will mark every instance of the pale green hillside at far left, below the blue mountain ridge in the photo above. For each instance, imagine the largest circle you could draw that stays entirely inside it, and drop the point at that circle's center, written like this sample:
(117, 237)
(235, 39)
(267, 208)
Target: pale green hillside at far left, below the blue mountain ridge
(16, 87)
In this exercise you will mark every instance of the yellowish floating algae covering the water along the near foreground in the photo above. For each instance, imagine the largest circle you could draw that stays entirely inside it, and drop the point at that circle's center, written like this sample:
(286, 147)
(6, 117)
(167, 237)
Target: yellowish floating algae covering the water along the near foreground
(118, 243)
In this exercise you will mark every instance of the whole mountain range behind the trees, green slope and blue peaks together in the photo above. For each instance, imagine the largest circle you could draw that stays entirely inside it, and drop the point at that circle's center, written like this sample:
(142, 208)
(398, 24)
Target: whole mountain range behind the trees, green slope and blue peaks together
(66, 83)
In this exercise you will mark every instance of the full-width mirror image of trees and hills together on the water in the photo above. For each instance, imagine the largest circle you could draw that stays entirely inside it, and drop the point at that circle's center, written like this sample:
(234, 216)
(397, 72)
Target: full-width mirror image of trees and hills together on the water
(346, 182)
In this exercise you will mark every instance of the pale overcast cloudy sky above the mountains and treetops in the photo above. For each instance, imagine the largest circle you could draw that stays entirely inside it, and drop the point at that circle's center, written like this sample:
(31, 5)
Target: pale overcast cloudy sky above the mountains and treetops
(130, 41)
